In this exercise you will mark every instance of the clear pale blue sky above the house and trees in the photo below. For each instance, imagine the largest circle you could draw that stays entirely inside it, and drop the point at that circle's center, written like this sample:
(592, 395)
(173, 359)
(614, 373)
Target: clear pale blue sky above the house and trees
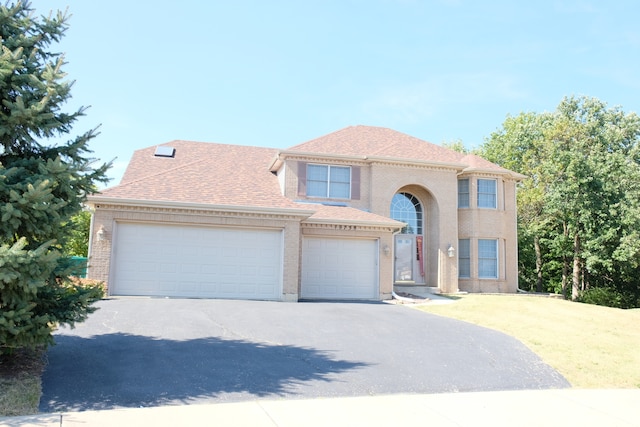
(277, 73)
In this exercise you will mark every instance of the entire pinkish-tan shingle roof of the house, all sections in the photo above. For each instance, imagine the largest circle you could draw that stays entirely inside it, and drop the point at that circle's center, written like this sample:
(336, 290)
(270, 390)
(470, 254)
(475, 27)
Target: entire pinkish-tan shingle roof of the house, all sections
(239, 176)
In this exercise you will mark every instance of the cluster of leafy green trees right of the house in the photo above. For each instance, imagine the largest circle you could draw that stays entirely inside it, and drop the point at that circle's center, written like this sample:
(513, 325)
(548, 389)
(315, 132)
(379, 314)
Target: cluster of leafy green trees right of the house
(579, 208)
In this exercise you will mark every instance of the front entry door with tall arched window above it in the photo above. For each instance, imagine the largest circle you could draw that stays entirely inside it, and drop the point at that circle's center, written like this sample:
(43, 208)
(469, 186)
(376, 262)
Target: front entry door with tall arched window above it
(409, 262)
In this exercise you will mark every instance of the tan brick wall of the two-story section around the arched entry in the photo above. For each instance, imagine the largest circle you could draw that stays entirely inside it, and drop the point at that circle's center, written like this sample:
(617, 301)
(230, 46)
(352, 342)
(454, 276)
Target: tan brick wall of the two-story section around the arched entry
(437, 189)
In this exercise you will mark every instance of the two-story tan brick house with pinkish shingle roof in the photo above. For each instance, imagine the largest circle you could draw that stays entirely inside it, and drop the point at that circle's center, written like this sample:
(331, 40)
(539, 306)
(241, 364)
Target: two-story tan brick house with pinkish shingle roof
(344, 216)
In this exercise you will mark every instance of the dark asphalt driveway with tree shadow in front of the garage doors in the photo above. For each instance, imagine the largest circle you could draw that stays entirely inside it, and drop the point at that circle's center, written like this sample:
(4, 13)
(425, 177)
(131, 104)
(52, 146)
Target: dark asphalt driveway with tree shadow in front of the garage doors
(138, 352)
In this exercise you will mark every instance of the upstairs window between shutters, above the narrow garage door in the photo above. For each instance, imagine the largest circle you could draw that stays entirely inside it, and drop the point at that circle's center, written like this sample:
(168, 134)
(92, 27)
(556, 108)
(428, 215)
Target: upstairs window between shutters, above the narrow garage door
(329, 181)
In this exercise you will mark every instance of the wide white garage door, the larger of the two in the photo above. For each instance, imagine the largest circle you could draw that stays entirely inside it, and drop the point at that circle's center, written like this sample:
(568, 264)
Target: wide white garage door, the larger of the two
(200, 262)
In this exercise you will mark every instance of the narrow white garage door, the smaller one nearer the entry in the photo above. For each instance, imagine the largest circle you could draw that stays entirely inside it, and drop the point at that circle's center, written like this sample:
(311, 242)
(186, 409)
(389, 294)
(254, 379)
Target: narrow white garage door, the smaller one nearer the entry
(339, 268)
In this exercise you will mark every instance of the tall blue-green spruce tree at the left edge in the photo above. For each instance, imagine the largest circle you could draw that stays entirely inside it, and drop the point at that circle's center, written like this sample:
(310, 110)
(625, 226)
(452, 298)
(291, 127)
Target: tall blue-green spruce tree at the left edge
(42, 182)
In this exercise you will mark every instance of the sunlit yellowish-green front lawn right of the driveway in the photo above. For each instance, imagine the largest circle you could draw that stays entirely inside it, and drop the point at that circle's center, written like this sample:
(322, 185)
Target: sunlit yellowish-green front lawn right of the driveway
(591, 346)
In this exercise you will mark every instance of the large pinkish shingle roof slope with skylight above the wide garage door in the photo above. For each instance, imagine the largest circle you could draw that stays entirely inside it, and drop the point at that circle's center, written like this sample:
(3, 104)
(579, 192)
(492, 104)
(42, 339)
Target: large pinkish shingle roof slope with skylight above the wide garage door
(217, 174)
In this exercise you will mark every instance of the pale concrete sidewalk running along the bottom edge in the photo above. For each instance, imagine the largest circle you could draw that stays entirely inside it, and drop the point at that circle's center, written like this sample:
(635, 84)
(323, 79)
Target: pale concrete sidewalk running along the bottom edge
(563, 407)
